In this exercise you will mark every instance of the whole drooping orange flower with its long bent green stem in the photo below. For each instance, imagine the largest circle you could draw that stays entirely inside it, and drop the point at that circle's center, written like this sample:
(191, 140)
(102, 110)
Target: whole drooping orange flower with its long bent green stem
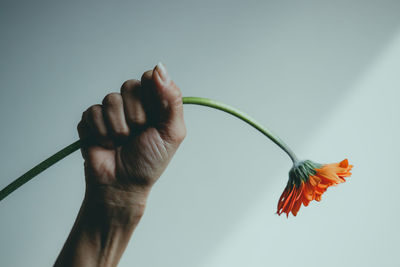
(307, 180)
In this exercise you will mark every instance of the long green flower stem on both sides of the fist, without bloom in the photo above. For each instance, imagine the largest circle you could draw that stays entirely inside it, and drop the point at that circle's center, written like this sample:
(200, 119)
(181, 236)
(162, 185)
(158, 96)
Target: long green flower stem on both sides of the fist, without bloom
(186, 100)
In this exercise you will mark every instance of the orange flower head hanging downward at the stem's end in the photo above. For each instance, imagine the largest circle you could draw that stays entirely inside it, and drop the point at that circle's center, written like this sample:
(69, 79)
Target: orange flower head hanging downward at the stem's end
(308, 181)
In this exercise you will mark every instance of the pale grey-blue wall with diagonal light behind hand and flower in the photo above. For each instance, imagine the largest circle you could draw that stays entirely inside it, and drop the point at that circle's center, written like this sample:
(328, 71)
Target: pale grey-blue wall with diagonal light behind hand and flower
(322, 74)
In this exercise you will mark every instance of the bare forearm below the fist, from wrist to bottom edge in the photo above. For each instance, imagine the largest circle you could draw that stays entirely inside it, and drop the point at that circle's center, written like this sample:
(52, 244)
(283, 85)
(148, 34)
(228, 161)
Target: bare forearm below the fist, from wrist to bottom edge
(103, 228)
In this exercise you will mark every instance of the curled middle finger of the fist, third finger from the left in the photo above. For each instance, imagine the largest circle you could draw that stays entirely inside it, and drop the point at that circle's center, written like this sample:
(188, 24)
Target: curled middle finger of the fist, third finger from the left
(134, 112)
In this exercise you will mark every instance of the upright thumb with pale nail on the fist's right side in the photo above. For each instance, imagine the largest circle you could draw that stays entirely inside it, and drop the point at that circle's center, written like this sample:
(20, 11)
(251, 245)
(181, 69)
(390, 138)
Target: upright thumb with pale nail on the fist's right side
(172, 126)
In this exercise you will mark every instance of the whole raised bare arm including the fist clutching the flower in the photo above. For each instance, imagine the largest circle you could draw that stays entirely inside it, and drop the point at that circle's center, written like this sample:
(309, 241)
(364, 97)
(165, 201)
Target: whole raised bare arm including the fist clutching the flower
(135, 133)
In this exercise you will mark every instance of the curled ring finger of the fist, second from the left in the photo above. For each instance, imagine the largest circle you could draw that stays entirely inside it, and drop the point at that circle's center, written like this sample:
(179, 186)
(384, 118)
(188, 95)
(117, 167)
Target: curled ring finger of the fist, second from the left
(114, 117)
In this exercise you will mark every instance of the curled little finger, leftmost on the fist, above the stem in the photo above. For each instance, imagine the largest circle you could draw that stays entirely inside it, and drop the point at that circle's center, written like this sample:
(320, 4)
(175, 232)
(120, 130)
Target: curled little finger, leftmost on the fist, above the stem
(94, 120)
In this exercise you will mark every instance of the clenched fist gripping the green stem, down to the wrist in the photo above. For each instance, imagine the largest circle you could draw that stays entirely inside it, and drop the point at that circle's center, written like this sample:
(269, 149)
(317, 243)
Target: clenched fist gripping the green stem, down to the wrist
(133, 134)
